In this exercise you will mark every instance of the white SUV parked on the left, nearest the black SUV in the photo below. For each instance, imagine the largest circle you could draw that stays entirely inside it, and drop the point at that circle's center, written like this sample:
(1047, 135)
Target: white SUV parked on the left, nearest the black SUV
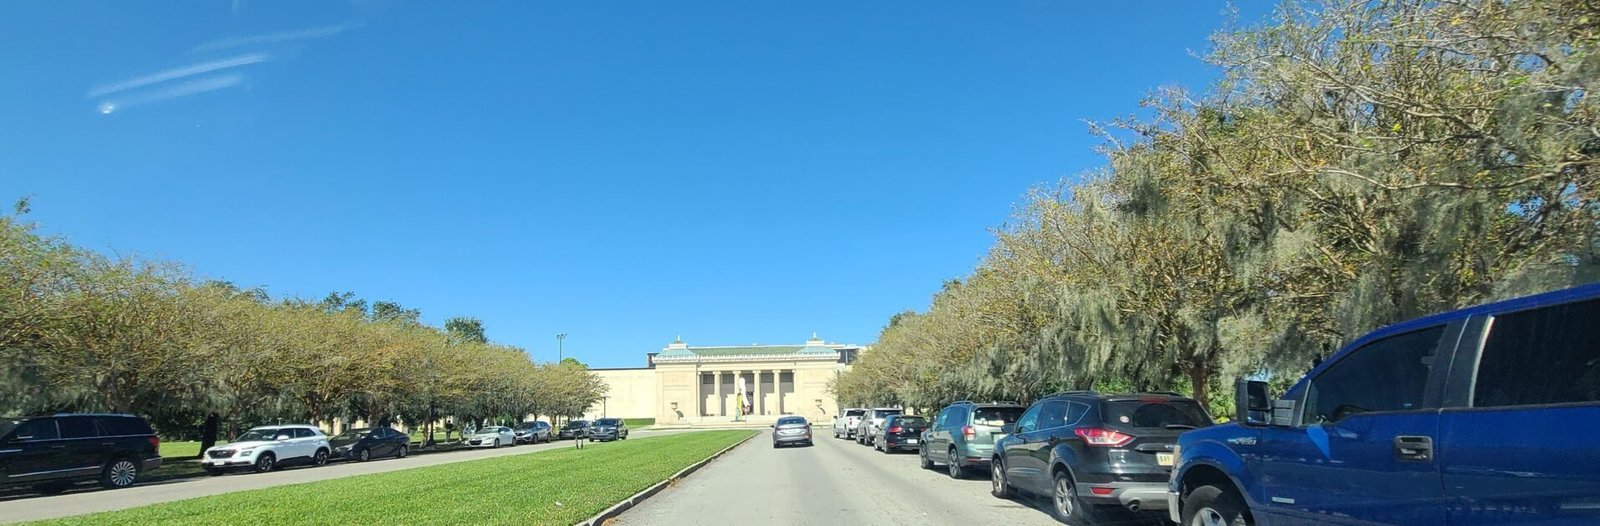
(268, 448)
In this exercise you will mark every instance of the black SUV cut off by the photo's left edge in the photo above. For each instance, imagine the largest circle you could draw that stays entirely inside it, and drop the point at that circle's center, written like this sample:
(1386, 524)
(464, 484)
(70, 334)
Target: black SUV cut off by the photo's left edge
(50, 453)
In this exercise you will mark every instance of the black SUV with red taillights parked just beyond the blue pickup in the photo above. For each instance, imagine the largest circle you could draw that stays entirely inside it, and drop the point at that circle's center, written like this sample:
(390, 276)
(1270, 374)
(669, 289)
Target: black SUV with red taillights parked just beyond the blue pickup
(1090, 450)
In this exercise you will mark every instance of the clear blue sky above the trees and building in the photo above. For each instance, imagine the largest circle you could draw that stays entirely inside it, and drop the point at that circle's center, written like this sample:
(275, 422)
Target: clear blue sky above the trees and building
(740, 172)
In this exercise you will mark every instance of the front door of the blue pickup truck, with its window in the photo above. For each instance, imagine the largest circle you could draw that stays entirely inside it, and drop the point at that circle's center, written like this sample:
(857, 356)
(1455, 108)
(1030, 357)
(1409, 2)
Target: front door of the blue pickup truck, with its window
(1362, 452)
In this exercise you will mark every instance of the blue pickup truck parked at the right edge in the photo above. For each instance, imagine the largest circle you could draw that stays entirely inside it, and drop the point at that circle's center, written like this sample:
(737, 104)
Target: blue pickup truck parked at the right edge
(1481, 416)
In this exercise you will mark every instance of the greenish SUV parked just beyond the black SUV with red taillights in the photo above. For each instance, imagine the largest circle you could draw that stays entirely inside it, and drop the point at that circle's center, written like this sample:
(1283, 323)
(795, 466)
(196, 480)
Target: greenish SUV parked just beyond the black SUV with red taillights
(964, 436)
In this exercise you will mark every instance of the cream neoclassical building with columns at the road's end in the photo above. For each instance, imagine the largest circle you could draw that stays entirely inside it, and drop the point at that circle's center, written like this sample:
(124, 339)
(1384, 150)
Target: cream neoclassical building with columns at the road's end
(689, 385)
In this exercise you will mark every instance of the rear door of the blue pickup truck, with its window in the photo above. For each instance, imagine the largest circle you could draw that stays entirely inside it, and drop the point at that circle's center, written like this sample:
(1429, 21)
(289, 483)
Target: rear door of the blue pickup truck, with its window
(1521, 444)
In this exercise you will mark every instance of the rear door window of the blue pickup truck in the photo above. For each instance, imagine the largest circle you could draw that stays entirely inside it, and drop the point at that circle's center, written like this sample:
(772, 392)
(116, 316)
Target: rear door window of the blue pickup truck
(1542, 357)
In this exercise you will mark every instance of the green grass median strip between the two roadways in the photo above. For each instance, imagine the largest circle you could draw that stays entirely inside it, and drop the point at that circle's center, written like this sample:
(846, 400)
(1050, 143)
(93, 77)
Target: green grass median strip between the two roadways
(558, 487)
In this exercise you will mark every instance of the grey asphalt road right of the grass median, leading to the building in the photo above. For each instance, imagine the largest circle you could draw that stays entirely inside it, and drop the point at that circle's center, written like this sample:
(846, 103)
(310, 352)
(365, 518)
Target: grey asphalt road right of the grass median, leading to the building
(833, 484)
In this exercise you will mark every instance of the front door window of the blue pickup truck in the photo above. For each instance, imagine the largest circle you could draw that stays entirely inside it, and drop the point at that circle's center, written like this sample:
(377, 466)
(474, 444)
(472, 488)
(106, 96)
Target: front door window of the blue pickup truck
(1390, 375)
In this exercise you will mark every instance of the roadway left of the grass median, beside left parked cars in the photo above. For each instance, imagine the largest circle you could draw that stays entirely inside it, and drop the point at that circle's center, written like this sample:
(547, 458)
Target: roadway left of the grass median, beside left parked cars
(25, 508)
